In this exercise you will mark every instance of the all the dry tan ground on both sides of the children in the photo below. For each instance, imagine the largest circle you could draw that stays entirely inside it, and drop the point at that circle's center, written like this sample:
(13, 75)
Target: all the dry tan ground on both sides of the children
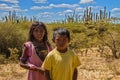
(93, 67)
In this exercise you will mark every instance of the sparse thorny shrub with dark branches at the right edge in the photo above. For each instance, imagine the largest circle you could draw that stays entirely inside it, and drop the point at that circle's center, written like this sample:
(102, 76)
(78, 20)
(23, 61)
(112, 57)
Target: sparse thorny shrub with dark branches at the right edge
(111, 40)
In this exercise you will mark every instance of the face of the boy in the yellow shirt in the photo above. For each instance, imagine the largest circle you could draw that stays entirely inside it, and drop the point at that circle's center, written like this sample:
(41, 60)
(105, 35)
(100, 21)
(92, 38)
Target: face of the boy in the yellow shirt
(61, 41)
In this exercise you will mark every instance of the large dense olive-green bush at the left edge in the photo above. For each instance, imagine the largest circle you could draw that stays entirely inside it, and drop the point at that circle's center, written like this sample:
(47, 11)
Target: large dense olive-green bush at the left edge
(12, 36)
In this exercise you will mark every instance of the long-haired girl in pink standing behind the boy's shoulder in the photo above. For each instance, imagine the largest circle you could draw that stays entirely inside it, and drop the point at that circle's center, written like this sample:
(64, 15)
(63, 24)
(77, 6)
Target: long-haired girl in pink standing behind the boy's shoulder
(35, 51)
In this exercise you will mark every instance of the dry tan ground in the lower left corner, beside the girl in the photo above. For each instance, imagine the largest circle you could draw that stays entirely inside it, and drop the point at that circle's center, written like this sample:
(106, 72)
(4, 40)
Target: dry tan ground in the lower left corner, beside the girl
(12, 72)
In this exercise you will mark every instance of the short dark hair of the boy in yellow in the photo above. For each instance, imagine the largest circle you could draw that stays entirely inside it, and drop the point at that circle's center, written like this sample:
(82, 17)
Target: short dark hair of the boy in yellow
(61, 31)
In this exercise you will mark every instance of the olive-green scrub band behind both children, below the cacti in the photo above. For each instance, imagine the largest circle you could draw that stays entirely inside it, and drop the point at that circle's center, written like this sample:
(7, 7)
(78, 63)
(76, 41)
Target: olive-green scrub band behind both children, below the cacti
(13, 35)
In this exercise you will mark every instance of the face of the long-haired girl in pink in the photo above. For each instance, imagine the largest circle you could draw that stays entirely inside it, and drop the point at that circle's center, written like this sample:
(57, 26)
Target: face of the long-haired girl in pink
(39, 33)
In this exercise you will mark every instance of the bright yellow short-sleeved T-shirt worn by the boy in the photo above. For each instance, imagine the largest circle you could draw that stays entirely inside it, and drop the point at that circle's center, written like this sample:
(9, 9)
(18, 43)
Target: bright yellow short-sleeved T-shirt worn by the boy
(61, 65)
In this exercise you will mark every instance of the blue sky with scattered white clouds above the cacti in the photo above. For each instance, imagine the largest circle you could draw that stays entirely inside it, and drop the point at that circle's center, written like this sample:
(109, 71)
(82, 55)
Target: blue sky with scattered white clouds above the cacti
(55, 10)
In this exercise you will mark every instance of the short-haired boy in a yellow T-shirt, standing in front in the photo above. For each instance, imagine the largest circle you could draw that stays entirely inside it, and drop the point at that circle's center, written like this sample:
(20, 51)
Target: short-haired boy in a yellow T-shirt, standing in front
(61, 63)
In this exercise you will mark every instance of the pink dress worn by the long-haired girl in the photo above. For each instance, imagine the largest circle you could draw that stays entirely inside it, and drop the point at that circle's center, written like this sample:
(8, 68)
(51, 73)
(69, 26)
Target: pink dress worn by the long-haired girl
(34, 60)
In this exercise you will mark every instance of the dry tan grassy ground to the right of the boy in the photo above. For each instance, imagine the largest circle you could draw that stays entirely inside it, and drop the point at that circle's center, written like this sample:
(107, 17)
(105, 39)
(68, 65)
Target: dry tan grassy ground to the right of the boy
(95, 67)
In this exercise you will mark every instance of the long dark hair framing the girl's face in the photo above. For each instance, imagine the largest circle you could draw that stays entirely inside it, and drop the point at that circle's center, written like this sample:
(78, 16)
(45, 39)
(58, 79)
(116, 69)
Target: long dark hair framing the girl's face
(33, 26)
